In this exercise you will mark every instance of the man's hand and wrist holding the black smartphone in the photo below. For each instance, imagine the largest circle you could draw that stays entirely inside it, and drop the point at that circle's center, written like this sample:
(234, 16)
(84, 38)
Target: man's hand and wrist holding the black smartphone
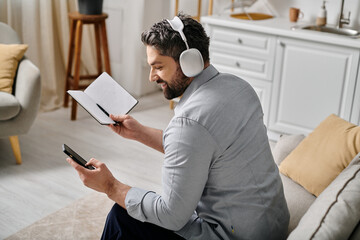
(101, 179)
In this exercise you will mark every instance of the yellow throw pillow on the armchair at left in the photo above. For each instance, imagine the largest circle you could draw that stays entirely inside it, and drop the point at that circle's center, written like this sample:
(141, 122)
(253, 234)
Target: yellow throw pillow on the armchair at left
(10, 55)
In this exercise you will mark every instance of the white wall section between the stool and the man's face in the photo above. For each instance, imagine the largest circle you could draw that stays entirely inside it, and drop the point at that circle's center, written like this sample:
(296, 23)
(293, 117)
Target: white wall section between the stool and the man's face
(127, 20)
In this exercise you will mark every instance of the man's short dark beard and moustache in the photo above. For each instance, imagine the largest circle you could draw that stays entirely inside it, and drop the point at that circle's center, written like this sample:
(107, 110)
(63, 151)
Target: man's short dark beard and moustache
(177, 87)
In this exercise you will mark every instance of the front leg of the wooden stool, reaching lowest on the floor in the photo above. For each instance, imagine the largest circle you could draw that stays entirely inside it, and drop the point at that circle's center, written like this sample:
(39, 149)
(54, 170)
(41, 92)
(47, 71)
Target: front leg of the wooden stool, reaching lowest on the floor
(78, 39)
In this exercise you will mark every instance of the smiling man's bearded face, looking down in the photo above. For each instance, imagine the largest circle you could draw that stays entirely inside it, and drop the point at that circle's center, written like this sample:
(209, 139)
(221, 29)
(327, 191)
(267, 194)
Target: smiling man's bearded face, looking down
(166, 72)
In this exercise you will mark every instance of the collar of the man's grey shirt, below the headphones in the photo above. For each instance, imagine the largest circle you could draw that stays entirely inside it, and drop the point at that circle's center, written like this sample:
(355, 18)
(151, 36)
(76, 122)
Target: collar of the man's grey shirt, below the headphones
(207, 74)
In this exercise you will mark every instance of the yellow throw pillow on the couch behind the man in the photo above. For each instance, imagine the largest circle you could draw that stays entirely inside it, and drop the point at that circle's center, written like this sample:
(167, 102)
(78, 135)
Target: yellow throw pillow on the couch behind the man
(322, 155)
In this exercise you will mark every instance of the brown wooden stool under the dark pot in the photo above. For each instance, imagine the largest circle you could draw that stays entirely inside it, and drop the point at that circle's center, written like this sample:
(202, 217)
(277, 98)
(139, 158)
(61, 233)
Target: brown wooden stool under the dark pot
(76, 27)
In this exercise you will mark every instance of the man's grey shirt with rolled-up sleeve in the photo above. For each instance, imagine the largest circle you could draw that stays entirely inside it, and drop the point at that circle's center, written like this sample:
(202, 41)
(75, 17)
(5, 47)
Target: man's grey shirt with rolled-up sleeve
(219, 178)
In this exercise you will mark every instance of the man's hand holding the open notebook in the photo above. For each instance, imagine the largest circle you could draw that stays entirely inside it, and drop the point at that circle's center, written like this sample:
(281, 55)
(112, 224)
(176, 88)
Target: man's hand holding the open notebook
(127, 126)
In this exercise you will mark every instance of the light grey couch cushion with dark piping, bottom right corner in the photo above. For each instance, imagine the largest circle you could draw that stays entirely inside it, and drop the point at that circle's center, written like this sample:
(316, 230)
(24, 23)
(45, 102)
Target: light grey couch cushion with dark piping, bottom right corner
(336, 212)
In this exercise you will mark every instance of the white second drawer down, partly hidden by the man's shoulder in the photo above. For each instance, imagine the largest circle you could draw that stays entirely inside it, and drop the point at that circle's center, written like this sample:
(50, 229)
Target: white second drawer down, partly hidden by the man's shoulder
(258, 68)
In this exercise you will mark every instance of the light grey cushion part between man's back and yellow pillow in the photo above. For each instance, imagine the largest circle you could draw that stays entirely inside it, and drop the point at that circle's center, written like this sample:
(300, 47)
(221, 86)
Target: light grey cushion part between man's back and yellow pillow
(285, 145)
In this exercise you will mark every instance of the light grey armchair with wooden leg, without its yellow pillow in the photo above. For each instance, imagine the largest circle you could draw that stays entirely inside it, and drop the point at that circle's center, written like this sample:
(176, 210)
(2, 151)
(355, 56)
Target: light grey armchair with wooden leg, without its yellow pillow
(18, 110)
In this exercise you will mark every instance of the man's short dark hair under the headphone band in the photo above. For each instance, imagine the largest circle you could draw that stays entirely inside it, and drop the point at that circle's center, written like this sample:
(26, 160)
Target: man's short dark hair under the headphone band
(169, 42)
